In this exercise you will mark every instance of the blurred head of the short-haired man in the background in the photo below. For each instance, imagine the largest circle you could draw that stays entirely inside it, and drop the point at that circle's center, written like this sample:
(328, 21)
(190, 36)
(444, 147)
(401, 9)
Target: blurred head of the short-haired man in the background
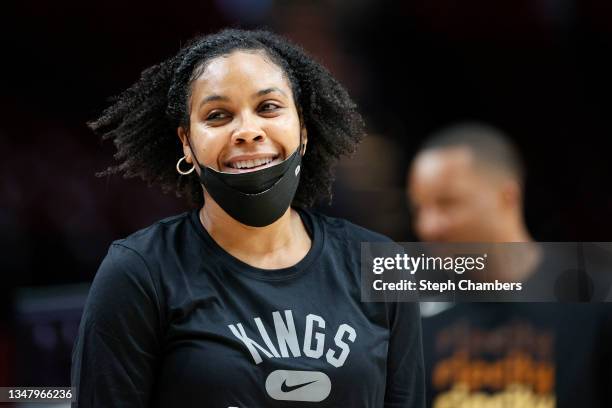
(466, 184)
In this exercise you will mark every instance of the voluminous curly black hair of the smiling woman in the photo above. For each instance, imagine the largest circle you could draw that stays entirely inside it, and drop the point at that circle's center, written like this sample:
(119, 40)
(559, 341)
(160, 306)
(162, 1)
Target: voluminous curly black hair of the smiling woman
(143, 120)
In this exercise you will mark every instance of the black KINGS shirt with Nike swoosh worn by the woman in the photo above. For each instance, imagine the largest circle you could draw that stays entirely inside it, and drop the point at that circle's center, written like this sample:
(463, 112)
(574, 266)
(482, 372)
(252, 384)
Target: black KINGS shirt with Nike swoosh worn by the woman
(172, 320)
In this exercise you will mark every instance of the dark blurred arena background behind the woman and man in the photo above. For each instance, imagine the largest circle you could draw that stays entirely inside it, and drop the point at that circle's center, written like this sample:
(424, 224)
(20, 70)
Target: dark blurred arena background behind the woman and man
(537, 69)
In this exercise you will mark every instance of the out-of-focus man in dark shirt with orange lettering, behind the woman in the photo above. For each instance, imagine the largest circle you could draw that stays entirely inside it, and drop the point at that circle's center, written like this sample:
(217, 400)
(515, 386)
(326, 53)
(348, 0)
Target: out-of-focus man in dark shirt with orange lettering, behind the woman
(466, 185)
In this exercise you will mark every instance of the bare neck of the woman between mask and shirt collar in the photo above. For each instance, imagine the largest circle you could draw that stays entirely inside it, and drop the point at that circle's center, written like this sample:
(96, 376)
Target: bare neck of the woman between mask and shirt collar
(278, 245)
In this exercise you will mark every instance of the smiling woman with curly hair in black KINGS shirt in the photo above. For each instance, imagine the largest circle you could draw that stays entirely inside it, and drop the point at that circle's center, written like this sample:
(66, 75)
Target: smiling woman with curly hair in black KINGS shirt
(251, 299)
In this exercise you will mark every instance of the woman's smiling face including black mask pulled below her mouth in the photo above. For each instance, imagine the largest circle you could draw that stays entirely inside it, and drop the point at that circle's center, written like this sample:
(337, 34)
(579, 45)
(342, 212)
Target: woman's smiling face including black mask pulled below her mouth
(245, 100)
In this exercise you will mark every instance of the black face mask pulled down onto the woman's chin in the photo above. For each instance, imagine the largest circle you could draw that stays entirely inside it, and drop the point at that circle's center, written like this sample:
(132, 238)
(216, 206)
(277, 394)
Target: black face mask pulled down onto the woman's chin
(256, 198)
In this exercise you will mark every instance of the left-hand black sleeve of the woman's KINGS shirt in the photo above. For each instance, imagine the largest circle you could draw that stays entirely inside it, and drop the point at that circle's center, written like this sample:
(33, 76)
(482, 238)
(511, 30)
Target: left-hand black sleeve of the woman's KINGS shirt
(116, 352)
